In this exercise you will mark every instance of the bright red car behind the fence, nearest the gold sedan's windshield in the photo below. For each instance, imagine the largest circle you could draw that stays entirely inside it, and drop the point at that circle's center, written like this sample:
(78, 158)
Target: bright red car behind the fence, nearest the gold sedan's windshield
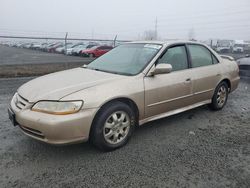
(95, 51)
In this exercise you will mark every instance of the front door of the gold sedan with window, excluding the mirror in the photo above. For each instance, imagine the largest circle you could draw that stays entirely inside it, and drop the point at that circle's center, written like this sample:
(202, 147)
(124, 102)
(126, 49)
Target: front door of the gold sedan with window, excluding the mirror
(166, 92)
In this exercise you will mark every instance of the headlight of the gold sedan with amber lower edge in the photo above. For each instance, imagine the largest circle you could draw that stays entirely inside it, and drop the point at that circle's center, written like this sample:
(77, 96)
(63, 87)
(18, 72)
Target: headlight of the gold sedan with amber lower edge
(58, 107)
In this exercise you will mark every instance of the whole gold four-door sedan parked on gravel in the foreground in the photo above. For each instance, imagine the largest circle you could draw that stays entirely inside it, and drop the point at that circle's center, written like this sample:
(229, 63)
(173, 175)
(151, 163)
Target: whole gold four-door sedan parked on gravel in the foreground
(132, 84)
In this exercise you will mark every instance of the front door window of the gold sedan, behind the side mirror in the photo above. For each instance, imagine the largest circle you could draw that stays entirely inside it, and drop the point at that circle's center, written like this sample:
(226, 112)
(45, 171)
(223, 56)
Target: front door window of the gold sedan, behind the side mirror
(177, 57)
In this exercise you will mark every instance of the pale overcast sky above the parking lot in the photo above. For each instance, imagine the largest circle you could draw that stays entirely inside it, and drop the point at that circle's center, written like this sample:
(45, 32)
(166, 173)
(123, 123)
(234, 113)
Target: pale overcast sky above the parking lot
(128, 19)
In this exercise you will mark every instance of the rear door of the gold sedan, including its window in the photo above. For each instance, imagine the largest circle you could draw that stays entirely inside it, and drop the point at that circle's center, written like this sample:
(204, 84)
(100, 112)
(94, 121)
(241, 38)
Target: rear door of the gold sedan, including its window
(206, 69)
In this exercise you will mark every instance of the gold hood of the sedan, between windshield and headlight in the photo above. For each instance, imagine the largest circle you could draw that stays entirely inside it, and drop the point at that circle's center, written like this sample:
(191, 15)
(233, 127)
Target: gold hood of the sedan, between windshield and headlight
(58, 85)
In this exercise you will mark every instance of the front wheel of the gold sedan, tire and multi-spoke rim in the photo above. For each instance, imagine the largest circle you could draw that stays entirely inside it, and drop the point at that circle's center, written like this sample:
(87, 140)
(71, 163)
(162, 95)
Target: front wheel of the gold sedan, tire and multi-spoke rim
(110, 131)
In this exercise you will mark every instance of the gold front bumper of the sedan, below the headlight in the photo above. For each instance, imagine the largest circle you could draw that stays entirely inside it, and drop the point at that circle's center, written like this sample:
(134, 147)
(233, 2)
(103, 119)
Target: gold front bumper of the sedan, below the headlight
(55, 129)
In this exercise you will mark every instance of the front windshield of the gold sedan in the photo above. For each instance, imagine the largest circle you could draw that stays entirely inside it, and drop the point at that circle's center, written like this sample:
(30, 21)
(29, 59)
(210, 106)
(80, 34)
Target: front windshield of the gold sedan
(127, 59)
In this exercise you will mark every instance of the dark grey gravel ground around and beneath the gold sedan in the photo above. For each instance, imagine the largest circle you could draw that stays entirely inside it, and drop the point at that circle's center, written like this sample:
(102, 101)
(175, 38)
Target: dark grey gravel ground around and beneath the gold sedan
(198, 148)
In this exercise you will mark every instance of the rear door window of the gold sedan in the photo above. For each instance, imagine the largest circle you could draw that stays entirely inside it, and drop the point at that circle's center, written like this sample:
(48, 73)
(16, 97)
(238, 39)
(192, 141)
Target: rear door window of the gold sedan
(200, 56)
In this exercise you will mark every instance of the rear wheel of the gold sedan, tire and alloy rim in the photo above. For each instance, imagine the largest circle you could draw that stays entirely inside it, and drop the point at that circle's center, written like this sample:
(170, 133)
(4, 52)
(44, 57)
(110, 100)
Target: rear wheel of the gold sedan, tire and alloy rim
(220, 96)
